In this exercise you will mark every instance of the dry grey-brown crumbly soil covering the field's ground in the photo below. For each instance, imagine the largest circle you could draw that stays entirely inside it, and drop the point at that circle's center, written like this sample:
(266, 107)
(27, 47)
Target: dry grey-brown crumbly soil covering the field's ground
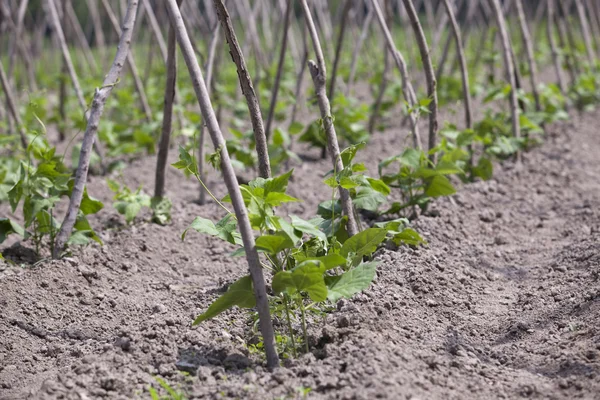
(503, 302)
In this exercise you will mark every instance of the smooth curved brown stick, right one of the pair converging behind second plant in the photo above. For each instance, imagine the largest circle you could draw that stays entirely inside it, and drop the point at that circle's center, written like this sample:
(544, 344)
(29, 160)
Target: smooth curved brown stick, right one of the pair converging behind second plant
(429, 74)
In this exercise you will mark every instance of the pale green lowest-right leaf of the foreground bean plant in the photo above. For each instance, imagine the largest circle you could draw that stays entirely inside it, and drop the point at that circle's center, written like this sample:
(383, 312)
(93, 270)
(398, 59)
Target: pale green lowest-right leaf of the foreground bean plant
(351, 282)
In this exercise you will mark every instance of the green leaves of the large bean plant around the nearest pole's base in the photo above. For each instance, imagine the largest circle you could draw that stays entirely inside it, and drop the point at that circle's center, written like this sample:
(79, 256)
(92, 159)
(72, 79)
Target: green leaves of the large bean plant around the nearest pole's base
(311, 262)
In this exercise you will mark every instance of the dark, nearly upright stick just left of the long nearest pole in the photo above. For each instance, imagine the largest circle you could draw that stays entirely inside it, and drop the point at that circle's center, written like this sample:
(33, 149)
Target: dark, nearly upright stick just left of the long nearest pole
(165, 136)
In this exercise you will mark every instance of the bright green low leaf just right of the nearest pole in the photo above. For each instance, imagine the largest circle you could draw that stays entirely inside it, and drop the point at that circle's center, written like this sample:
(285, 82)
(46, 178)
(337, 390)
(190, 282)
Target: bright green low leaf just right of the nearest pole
(306, 277)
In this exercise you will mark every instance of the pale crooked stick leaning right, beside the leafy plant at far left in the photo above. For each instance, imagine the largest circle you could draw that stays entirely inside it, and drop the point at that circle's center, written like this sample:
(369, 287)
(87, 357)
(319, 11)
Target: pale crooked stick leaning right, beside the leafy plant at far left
(96, 110)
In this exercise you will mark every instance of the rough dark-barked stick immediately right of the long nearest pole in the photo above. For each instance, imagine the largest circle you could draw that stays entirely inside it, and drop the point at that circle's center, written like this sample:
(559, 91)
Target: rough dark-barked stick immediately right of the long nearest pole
(264, 167)
